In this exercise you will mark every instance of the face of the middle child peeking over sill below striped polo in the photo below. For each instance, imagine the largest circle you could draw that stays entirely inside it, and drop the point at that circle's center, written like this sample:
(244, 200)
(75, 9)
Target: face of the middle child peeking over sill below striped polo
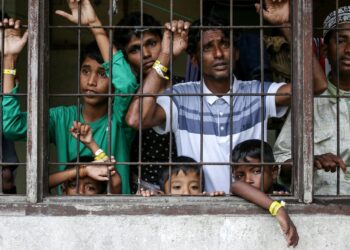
(183, 184)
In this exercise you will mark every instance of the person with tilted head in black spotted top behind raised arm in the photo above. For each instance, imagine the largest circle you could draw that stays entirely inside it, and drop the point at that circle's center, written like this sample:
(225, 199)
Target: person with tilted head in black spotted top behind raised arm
(144, 45)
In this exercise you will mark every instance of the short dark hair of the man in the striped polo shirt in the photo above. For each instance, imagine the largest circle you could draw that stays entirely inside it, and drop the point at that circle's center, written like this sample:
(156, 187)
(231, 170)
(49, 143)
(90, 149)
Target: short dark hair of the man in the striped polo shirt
(194, 35)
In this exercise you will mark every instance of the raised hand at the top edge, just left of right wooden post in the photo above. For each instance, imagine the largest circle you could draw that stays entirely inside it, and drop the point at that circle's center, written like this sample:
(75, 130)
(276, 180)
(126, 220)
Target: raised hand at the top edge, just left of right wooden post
(276, 12)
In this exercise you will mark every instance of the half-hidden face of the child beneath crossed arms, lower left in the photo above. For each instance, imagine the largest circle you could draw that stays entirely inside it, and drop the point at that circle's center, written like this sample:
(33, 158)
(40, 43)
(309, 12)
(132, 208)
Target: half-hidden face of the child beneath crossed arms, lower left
(87, 186)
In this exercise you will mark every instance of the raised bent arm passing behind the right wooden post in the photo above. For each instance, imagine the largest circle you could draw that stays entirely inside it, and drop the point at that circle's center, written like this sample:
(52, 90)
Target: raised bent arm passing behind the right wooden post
(277, 12)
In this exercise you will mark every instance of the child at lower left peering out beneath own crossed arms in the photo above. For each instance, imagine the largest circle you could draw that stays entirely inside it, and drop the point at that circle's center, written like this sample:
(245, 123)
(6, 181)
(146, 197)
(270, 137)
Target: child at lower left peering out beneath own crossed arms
(93, 179)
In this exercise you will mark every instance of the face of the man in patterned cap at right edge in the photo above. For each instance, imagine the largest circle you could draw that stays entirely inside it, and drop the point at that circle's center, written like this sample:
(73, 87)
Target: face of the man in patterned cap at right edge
(343, 49)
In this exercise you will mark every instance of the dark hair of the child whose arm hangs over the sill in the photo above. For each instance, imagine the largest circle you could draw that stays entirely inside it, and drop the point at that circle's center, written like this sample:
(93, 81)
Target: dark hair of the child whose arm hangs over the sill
(252, 148)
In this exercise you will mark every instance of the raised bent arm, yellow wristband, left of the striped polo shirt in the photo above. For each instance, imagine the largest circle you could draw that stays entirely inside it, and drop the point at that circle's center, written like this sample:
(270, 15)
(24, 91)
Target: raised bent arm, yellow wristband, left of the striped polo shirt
(152, 114)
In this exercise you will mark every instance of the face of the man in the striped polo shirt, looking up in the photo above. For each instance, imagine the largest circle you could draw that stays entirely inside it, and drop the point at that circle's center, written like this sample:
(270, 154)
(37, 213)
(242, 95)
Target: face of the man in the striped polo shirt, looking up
(216, 55)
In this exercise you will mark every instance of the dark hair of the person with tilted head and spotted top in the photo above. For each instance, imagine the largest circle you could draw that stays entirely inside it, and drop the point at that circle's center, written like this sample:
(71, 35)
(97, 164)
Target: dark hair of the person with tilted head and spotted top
(122, 36)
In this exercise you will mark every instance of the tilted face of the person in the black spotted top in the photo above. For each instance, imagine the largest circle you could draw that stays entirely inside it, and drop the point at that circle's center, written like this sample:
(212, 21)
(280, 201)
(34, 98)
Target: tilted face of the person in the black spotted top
(151, 51)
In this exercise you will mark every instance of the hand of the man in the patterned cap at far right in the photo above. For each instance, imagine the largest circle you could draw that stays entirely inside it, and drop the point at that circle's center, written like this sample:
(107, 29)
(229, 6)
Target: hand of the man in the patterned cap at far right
(329, 162)
